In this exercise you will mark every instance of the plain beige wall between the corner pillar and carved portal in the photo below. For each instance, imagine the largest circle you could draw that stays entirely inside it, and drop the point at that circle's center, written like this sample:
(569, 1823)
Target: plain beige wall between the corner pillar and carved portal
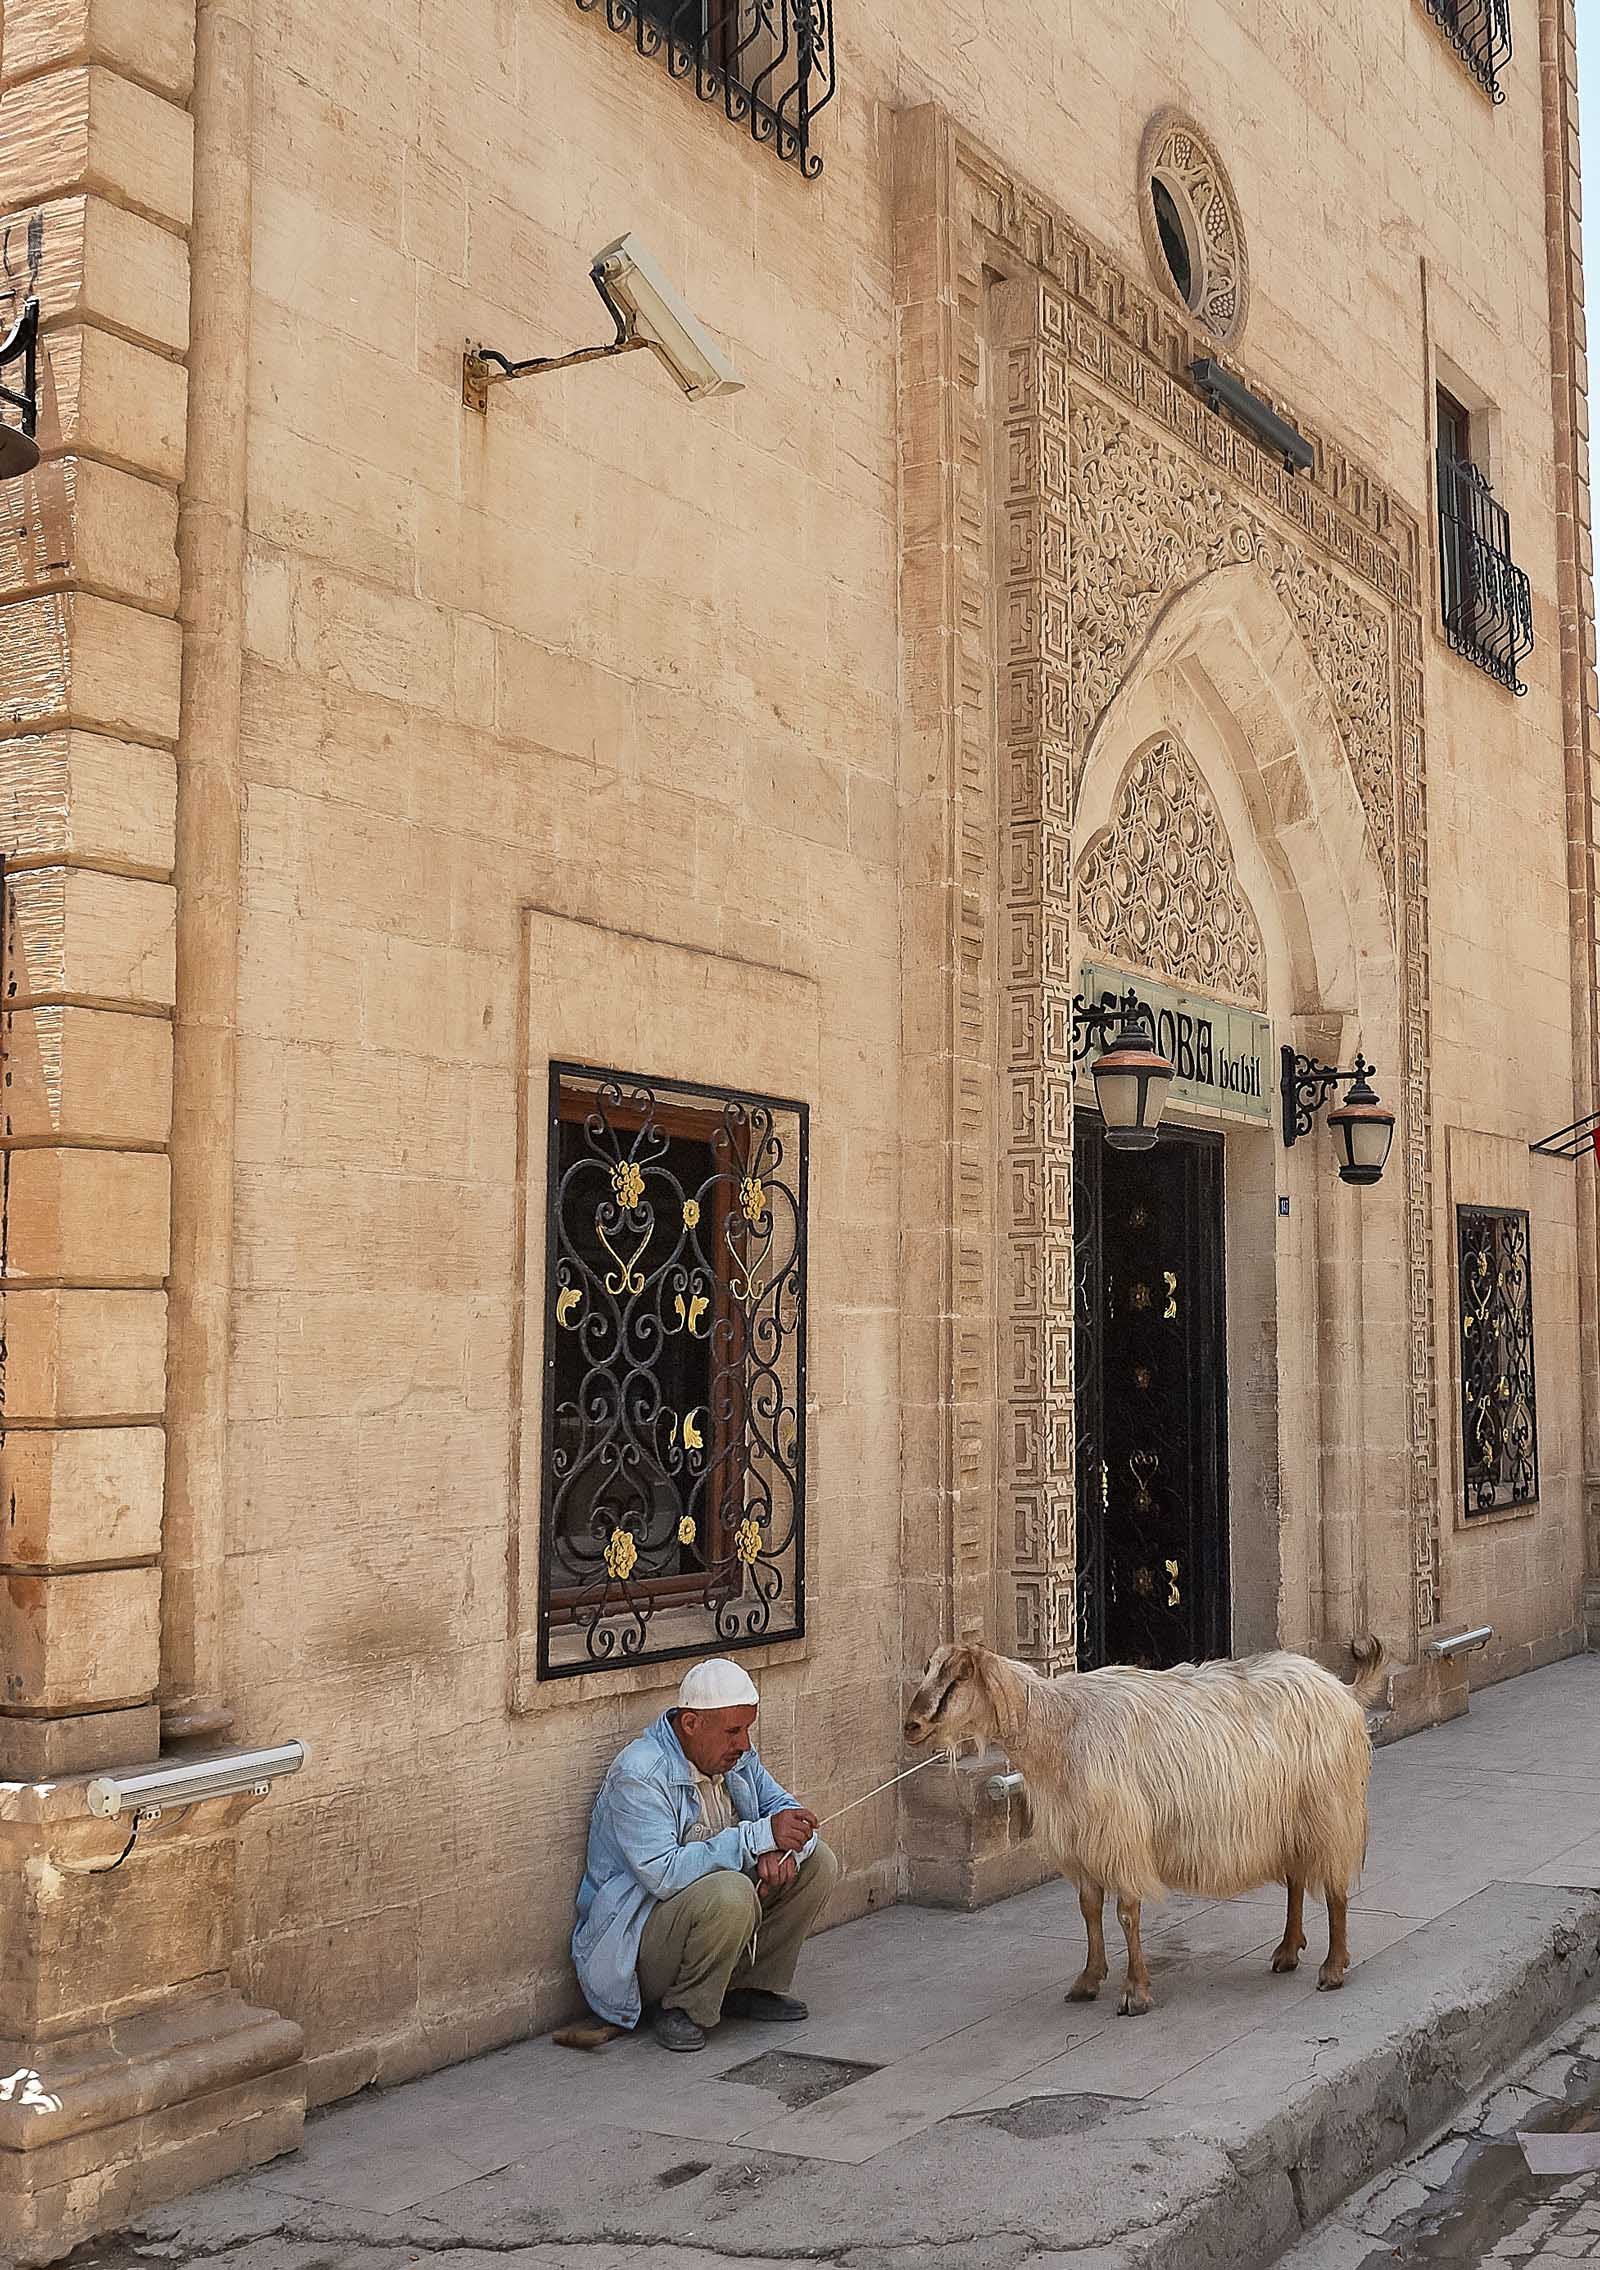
(596, 666)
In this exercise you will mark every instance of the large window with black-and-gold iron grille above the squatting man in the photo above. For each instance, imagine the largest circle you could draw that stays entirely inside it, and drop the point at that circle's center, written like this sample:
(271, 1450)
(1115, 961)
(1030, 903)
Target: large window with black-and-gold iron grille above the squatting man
(675, 1372)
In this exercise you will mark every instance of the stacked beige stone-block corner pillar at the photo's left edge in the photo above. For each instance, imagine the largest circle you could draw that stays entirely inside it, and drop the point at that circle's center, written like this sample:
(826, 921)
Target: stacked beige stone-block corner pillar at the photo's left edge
(96, 194)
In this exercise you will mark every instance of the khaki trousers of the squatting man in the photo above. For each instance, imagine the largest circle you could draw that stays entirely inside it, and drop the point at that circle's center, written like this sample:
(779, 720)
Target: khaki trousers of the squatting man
(698, 1942)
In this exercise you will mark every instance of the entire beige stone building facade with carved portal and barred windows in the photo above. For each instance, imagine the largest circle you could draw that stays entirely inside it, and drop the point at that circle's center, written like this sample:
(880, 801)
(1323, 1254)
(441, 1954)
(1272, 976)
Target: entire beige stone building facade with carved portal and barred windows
(777, 771)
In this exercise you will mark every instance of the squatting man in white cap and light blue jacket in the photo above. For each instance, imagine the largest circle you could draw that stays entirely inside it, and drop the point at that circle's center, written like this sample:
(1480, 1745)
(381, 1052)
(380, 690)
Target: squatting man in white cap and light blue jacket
(702, 1874)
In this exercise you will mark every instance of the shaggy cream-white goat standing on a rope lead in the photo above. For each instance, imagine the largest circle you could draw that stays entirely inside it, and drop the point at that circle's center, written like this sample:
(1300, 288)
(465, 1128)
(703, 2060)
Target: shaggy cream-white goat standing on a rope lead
(1211, 1779)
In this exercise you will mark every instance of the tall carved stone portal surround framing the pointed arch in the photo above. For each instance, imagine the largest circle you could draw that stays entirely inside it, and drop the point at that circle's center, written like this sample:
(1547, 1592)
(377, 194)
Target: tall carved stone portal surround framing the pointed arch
(1072, 489)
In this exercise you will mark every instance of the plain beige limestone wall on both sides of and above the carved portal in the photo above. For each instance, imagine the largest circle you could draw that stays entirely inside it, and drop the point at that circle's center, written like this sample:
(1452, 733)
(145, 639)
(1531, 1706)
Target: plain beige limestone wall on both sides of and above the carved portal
(614, 664)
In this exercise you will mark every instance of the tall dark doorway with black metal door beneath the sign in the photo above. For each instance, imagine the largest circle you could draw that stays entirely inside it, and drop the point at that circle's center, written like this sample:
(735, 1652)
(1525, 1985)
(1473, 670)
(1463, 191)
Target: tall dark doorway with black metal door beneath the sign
(1152, 1399)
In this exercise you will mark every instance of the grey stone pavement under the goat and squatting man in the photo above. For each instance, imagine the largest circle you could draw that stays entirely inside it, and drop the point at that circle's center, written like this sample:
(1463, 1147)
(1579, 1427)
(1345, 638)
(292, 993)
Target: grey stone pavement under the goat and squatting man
(948, 2101)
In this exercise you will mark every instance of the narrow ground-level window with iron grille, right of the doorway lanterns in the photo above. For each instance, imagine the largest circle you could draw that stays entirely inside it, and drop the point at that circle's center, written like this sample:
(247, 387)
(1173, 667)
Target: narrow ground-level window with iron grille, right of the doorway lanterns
(1499, 1420)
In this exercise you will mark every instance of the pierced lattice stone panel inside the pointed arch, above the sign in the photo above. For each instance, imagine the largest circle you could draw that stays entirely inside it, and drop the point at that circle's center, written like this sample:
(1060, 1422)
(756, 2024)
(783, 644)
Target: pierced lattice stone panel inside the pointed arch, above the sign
(1159, 889)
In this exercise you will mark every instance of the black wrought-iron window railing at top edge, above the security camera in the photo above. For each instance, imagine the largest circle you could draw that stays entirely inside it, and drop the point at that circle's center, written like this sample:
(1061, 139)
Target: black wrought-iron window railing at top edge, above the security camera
(766, 62)
